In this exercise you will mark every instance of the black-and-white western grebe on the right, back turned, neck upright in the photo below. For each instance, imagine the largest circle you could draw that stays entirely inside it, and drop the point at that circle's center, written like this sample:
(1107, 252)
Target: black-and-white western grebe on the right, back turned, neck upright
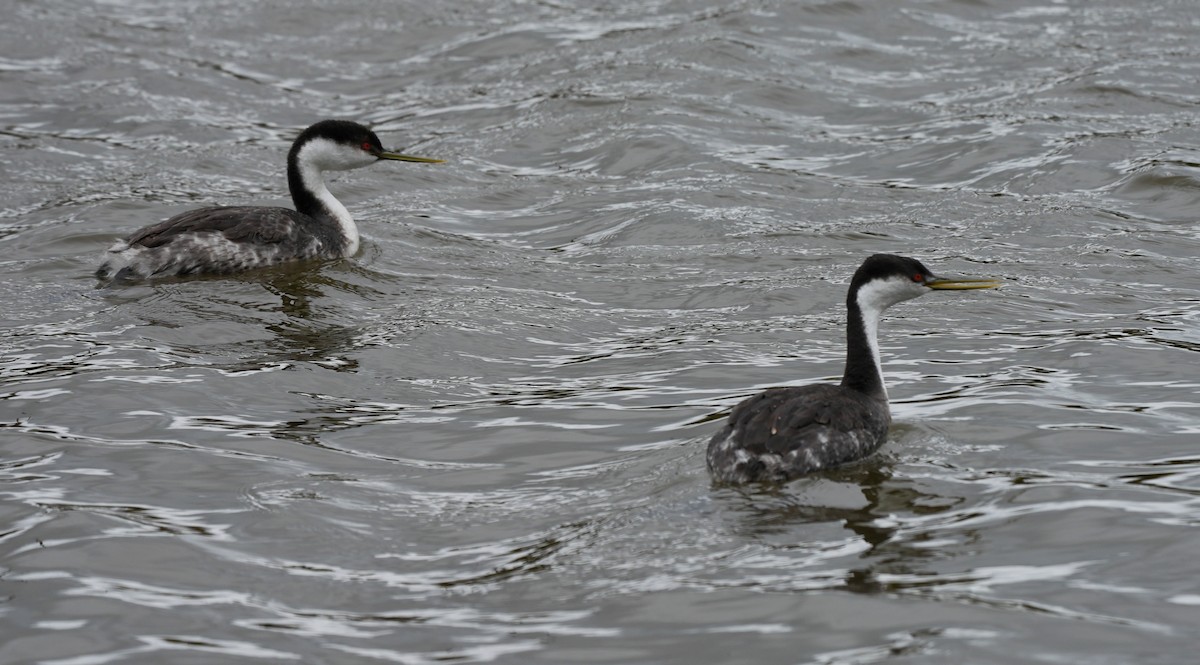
(785, 433)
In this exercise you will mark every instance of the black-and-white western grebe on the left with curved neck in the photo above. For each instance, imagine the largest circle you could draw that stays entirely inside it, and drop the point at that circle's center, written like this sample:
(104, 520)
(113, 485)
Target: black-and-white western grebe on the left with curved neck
(230, 239)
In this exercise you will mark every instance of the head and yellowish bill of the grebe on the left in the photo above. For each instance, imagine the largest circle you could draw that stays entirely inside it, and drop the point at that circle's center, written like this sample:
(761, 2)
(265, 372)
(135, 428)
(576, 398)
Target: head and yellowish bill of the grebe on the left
(341, 146)
